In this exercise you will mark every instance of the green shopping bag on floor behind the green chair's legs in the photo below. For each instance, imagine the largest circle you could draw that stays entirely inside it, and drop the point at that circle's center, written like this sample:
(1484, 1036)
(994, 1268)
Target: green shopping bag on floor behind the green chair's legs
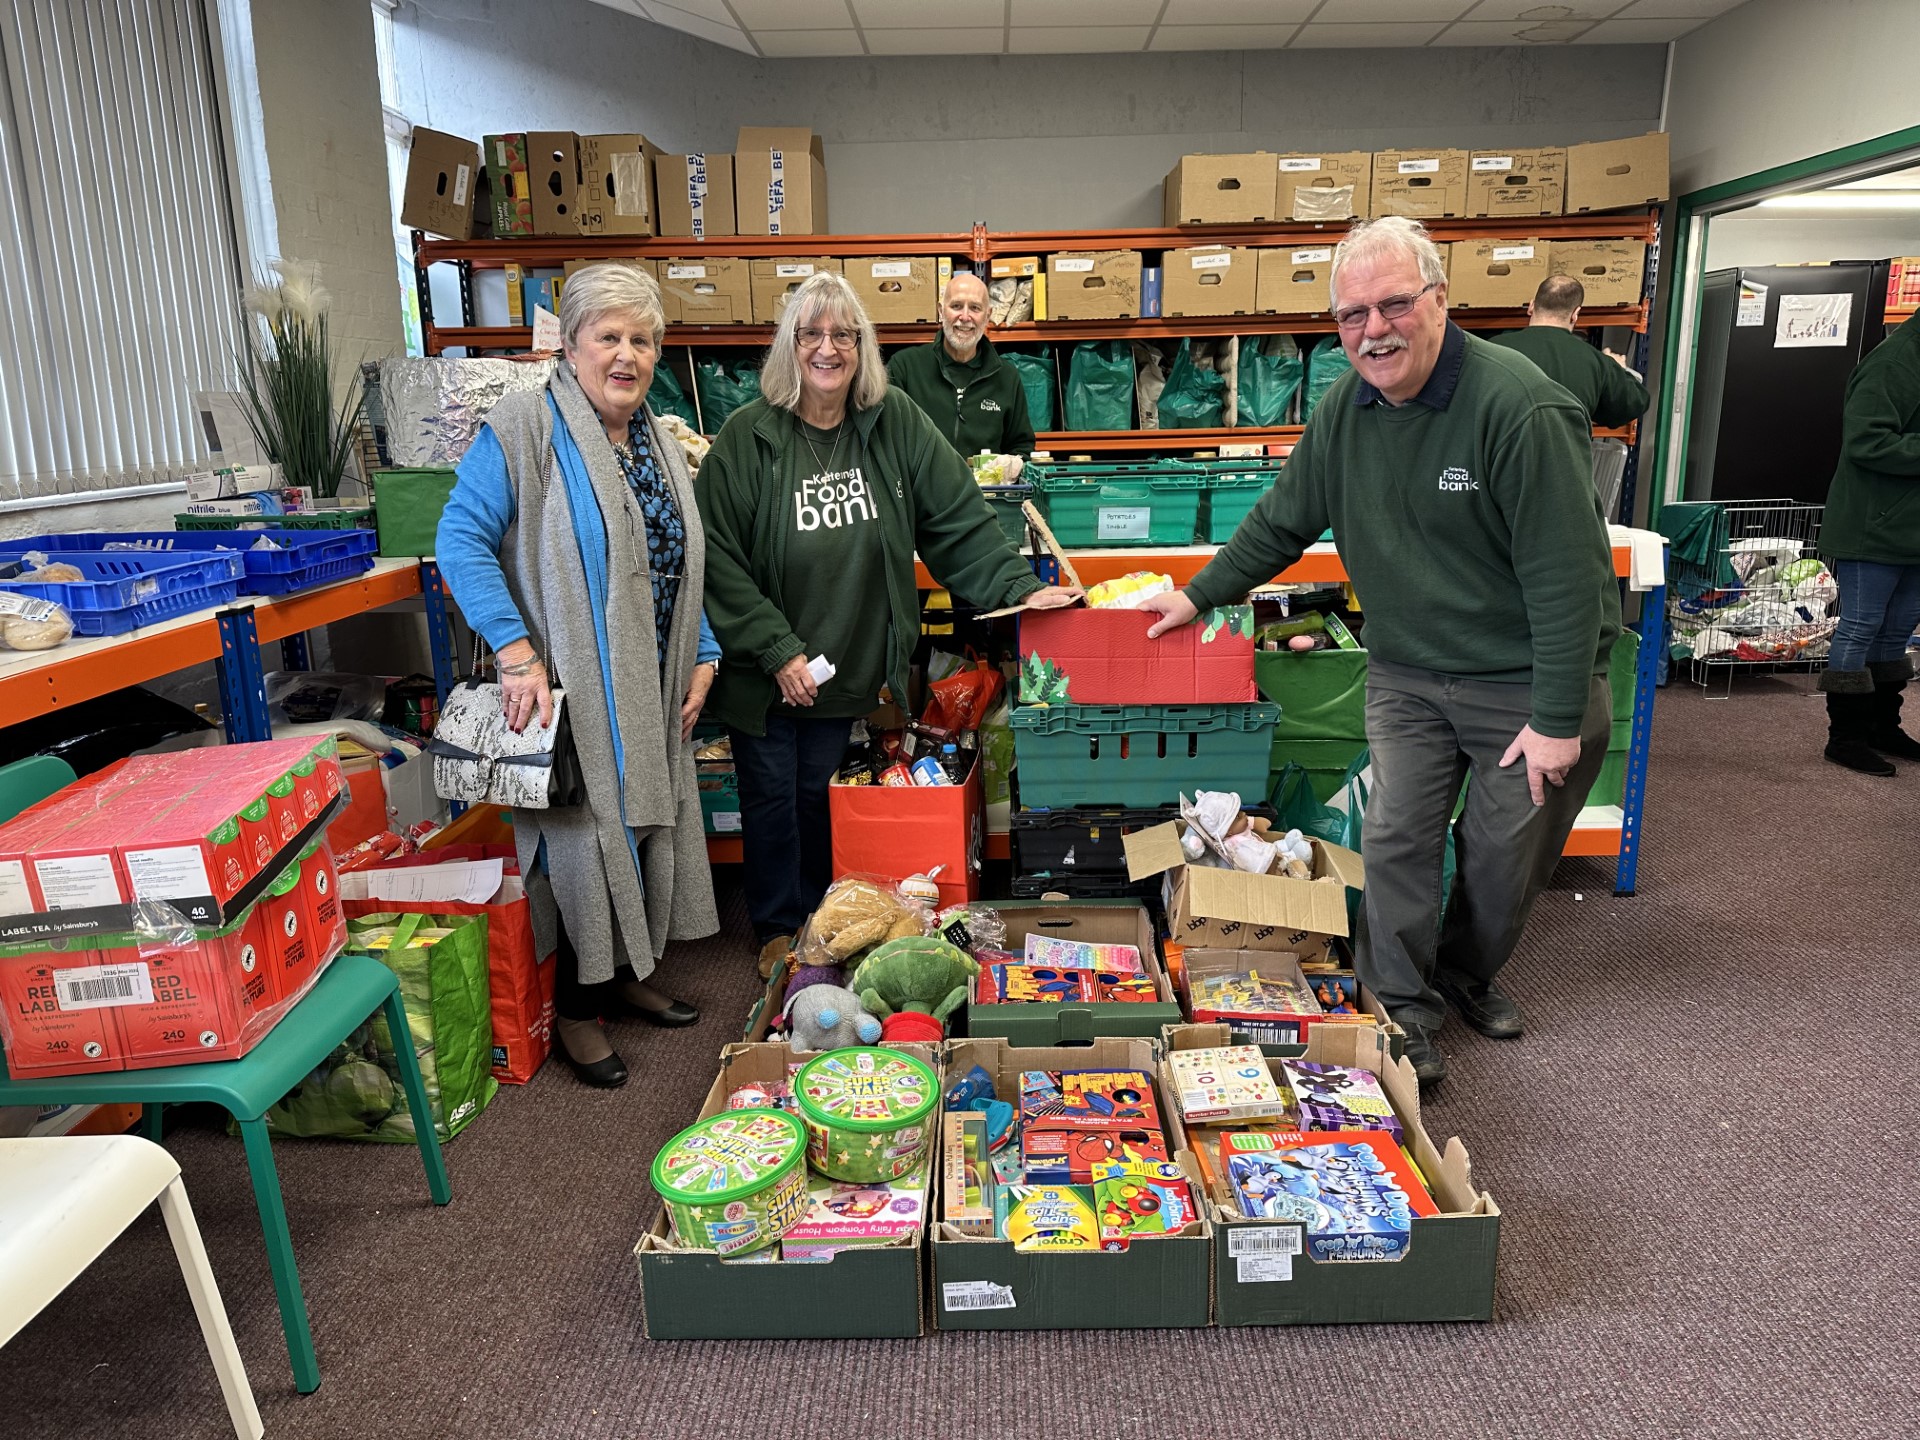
(356, 1093)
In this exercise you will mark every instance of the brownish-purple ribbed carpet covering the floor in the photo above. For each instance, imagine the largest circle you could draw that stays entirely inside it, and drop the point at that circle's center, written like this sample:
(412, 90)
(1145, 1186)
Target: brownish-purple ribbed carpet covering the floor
(1704, 1151)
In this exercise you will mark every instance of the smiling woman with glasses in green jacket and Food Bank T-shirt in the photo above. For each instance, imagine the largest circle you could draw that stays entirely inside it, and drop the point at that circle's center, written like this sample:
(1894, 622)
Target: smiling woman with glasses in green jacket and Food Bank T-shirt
(815, 500)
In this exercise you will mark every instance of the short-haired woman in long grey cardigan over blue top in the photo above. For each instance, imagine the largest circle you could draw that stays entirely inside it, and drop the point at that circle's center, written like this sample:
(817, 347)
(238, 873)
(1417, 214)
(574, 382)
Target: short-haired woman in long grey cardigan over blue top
(573, 548)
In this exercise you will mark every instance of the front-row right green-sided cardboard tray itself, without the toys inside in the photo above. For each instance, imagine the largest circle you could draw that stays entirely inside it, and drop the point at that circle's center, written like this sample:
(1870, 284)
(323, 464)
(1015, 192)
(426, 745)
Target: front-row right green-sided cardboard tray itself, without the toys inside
(1262, 1270)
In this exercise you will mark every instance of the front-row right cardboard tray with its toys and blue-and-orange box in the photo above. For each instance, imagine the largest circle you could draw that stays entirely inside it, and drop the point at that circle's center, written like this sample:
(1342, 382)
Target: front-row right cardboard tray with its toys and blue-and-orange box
(1301, 1197)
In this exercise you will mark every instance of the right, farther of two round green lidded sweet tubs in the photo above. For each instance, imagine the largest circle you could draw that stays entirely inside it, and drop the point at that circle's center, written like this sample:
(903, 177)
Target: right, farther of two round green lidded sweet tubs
(869, 1113)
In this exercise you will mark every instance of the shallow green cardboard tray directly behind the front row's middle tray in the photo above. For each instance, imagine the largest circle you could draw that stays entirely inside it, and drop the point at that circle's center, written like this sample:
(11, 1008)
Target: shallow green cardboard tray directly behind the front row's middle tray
(1099, 923)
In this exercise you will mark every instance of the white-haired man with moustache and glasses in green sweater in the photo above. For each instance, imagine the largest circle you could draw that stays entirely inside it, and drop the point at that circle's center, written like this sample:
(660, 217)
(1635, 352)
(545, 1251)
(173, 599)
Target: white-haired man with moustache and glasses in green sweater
(1458, 485)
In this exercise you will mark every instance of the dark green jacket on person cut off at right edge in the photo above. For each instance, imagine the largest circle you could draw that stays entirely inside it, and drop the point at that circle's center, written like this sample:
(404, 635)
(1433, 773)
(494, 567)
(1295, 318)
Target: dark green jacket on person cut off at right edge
(1873, 508)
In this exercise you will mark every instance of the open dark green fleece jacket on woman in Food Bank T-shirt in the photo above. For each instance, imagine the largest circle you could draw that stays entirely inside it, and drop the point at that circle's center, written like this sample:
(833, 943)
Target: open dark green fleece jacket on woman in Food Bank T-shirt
(926, 502)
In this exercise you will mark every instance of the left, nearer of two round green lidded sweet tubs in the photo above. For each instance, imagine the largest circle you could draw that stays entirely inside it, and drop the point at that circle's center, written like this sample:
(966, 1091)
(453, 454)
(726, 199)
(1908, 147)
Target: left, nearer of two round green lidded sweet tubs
(734, 1184)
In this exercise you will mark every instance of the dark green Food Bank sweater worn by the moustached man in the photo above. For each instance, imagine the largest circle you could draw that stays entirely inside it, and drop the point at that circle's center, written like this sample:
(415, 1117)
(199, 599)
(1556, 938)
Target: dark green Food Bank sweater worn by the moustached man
(1466, 519)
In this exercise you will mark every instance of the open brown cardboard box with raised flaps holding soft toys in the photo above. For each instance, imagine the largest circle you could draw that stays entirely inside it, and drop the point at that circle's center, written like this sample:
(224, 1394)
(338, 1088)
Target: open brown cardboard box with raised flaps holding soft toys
(1237, 911)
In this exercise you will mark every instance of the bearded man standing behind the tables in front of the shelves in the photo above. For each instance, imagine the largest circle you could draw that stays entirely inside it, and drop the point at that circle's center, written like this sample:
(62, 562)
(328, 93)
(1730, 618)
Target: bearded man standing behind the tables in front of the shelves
(972, 395)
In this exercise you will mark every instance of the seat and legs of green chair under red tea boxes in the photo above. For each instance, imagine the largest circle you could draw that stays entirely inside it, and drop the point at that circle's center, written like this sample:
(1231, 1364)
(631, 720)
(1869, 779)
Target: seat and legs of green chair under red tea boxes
(350, 990)
